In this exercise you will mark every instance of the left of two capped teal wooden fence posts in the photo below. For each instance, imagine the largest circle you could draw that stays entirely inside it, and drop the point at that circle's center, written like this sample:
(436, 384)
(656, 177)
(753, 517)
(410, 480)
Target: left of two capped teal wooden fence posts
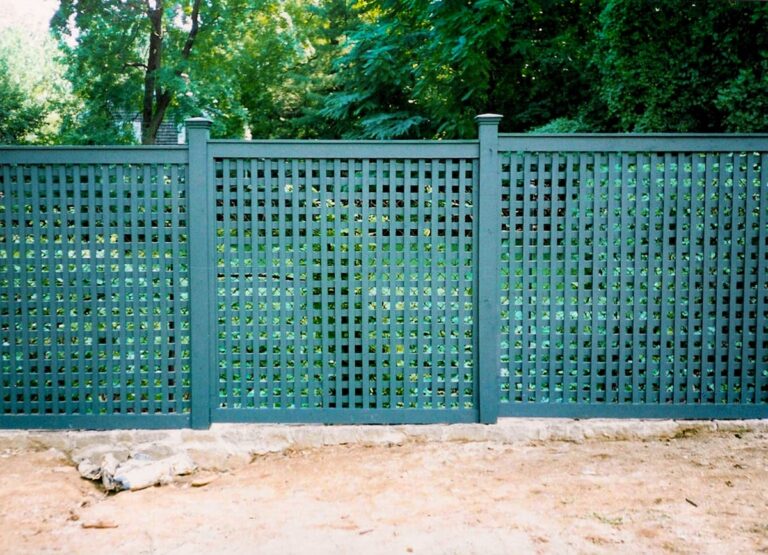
(200, 225)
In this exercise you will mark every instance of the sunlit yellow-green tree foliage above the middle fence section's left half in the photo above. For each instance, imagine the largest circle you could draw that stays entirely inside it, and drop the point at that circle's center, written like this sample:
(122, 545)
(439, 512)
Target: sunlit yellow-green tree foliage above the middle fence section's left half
(285, 66)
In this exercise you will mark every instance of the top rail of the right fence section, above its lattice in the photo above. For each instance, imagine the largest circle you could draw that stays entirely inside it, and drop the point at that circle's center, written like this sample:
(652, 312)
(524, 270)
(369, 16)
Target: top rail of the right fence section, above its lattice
(658, 142)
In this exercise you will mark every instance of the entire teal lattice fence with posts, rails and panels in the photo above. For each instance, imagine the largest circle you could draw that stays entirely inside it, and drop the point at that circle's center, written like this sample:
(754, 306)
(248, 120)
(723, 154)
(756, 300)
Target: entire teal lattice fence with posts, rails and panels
(384, 281)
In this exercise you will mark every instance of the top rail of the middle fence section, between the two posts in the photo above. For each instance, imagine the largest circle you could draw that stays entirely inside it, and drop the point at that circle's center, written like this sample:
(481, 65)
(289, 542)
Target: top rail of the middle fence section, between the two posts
(343, 149)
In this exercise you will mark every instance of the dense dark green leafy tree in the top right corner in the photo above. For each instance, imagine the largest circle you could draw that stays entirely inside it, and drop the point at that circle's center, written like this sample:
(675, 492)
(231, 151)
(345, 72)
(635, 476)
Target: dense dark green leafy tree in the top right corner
(683, 65)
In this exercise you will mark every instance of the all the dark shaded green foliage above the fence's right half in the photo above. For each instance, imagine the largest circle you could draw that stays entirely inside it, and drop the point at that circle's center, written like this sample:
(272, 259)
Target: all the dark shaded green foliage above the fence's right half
(421, 68)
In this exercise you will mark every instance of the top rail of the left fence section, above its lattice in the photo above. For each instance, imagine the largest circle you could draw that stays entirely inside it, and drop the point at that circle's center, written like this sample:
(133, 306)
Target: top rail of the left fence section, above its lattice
(93, 154)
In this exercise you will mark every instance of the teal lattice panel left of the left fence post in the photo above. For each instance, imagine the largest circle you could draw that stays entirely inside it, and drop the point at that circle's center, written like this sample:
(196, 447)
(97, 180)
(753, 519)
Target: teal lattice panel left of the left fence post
(94, 301)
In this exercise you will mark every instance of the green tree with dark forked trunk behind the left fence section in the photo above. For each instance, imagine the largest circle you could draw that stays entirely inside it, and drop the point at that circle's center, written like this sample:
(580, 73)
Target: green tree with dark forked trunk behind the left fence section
(130, 57)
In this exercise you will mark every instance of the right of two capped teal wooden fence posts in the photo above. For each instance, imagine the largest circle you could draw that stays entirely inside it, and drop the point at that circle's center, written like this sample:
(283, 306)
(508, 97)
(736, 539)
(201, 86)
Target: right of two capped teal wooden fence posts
(488, 330)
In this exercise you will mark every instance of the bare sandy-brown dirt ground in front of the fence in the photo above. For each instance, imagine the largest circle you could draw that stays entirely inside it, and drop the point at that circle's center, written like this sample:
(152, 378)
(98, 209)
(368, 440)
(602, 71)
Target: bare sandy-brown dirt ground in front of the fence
(706, 493)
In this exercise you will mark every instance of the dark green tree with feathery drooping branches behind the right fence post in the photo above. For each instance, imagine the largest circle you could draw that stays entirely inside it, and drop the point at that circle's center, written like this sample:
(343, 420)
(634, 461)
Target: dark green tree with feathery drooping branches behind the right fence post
(422, 68)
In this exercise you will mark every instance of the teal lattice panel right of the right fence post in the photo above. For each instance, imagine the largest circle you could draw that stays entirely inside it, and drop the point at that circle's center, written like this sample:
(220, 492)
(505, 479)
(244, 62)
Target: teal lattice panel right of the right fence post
(634, 278)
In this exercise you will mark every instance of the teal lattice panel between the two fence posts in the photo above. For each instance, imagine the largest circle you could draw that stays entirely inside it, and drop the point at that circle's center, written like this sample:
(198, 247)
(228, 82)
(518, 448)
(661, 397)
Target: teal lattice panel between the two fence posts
(345, 283)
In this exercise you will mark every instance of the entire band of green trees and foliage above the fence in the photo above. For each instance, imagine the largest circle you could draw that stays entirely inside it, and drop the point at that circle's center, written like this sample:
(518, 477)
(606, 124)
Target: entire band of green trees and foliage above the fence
(398, 68)
